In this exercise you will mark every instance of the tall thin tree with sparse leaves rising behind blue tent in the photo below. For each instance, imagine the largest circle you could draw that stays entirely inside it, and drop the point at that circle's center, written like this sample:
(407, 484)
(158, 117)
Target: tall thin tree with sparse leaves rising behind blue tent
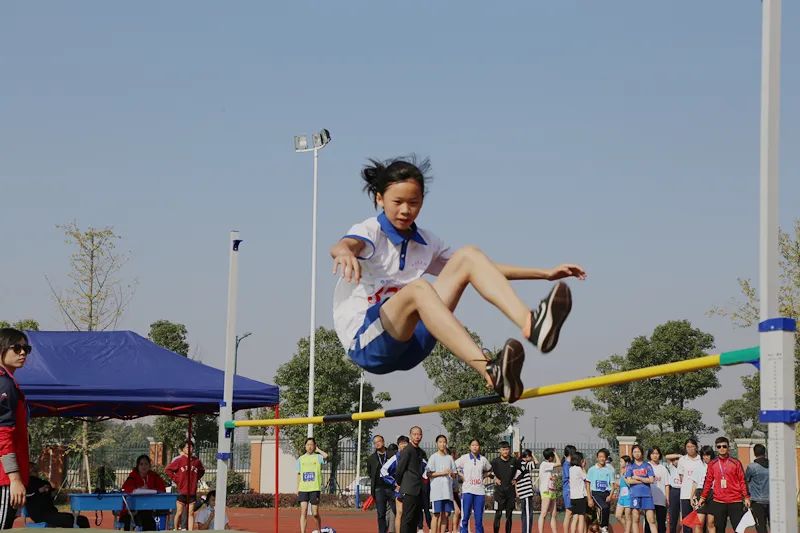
(97, 297)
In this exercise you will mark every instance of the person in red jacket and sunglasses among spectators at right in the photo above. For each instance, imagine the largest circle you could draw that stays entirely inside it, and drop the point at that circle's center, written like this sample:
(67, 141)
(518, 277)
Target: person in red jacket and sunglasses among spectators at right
(725, 476)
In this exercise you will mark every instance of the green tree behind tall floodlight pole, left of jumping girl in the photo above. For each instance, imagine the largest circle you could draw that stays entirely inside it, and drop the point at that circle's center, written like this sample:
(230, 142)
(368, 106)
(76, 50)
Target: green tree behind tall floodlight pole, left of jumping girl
(336, 390)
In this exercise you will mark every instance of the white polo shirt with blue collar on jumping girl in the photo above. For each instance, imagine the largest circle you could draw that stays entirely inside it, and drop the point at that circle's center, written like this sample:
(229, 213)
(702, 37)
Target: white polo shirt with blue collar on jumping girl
(389, 262)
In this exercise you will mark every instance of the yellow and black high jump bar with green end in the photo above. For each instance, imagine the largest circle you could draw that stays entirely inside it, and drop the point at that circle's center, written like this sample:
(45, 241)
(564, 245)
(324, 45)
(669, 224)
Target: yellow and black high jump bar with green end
(747, 355)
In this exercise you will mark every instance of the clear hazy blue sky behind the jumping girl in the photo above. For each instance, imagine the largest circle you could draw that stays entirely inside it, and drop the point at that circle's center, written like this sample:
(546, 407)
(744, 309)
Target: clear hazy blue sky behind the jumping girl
(621, 135)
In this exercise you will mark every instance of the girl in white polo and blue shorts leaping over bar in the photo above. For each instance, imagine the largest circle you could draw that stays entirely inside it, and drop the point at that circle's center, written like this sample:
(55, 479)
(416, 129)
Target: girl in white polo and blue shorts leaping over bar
(389, 318)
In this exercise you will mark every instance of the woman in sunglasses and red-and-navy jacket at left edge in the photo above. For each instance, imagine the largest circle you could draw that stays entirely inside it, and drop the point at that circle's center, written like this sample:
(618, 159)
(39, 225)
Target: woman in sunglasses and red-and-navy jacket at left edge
(14, 350)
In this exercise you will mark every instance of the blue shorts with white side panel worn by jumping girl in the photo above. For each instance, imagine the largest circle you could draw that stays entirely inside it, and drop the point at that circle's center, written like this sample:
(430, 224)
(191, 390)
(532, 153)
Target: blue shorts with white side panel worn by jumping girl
(377, 352)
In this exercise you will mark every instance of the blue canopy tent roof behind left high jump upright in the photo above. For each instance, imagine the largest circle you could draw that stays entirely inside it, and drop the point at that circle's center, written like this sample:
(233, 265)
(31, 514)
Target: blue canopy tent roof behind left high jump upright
(120, 374)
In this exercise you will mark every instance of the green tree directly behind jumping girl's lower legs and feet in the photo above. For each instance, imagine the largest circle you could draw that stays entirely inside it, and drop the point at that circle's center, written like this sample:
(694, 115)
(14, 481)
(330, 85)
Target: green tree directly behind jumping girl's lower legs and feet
(457, 381)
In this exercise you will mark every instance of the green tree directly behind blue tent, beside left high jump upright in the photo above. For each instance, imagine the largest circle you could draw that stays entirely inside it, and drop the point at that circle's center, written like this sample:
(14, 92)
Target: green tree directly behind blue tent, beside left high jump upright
(173, 430)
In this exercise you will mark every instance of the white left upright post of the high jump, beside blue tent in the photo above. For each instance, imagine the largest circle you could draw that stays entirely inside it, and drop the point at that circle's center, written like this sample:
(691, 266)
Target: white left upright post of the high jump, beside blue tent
(226, 405)
